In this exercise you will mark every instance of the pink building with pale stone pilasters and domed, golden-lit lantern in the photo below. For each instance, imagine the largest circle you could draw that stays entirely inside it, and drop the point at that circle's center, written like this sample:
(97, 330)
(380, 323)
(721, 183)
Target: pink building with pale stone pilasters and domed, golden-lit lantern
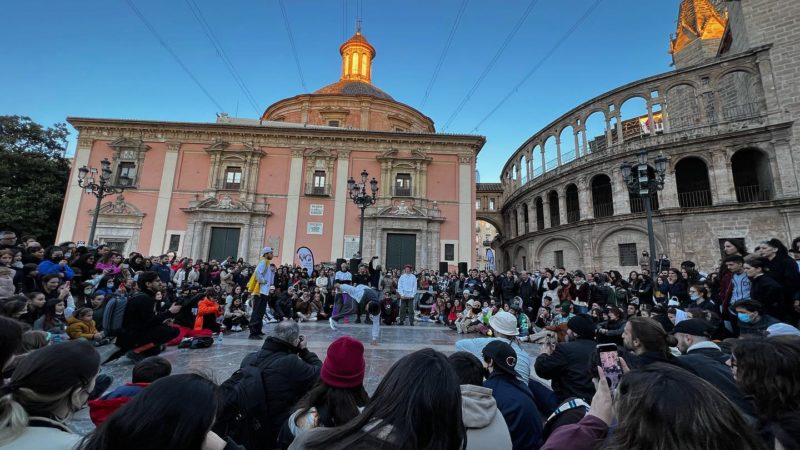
(210, 190)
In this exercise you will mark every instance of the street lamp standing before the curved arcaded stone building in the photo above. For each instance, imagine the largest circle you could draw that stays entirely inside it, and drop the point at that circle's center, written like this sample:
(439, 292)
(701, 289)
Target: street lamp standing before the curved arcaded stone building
(637, 178)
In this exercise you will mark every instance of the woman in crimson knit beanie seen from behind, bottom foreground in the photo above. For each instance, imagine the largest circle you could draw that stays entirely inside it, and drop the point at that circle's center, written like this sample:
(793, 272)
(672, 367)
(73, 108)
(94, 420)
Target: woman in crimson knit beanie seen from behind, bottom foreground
(338, 396)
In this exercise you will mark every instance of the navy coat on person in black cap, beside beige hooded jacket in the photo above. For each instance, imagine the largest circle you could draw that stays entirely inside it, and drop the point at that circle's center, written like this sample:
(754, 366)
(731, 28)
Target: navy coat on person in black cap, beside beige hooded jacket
(515, 402)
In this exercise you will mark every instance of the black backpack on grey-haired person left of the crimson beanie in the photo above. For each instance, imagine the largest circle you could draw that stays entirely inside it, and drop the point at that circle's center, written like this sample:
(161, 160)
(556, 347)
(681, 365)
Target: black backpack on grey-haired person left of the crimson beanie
(243, 405)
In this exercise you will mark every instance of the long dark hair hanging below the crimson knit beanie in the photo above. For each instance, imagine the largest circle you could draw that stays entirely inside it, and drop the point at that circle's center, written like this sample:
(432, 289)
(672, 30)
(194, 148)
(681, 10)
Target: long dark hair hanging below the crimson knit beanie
(335, 406)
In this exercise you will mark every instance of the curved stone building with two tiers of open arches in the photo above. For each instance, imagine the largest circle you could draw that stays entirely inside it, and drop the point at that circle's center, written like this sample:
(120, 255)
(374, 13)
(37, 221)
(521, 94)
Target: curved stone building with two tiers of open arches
(726, 119)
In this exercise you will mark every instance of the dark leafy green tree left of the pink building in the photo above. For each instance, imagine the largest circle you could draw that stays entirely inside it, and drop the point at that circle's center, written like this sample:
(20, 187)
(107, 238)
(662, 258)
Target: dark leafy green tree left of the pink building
(33, 176)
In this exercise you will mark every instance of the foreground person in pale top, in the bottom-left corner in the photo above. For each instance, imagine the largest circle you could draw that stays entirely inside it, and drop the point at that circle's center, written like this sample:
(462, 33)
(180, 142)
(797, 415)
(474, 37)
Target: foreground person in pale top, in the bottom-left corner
(47, 387)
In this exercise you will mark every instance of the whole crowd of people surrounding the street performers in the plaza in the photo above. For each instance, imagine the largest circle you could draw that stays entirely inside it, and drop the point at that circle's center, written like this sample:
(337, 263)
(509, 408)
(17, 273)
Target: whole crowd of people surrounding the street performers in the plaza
(714, 353)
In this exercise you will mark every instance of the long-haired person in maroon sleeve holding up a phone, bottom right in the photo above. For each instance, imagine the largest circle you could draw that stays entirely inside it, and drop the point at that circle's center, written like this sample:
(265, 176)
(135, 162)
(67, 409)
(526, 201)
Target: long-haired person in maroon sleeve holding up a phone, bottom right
(692, 415)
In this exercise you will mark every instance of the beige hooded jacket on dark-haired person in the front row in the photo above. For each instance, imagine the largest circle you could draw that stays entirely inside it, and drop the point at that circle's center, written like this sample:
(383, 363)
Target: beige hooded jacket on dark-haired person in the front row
(486, 427)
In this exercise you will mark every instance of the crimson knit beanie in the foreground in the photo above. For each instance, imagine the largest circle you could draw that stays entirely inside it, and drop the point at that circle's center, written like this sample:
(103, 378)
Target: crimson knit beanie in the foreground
(344, 366)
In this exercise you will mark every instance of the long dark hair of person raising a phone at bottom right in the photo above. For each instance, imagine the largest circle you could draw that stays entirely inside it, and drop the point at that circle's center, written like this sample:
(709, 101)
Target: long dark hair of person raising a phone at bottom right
(692, 414)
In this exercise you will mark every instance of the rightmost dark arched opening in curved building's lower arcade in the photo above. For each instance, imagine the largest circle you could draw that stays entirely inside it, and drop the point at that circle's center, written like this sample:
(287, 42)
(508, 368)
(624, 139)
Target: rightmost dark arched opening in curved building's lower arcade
(752, 178)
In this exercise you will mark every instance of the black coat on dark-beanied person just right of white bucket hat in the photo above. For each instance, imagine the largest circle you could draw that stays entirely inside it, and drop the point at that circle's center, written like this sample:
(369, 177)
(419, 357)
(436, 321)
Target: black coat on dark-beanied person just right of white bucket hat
(569, 369)
